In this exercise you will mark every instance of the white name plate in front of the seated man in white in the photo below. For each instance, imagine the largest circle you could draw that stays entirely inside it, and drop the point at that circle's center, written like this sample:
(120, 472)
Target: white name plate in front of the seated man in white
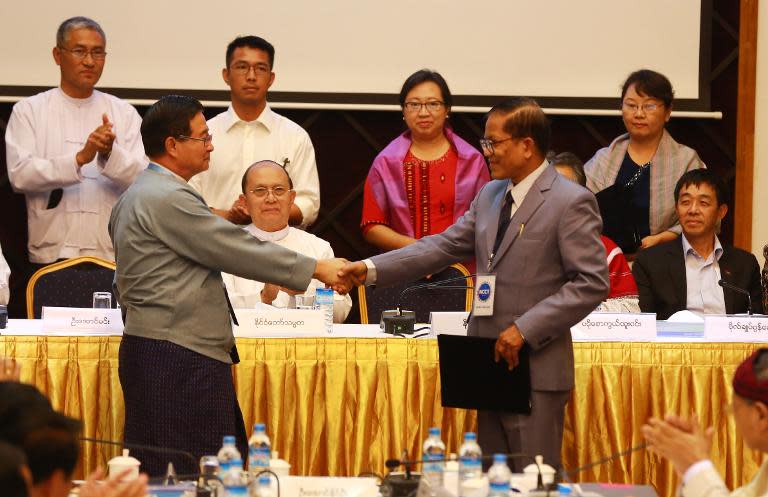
(256, 323)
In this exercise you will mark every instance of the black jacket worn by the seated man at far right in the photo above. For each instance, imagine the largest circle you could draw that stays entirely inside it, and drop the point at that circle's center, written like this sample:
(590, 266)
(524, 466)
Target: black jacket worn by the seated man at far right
(660, 276)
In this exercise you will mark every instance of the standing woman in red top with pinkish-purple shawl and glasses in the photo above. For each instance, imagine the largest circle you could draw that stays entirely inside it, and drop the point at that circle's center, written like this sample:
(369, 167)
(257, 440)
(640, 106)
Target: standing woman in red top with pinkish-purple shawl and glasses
(425, 179)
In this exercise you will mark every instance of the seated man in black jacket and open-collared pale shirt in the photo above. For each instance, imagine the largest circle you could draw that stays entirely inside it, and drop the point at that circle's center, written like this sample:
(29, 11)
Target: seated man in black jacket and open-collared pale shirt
(684, 273)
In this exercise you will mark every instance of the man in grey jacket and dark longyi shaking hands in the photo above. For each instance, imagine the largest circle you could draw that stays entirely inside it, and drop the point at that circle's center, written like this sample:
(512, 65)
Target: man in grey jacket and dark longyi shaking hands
(177, 346)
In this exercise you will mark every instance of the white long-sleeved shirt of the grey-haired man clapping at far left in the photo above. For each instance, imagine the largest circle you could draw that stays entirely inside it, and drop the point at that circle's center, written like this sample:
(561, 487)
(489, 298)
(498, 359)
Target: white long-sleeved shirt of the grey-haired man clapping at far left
(44, 134)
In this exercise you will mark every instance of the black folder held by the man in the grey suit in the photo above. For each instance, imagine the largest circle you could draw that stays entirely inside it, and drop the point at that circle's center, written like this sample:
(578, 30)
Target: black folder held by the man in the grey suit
(471, 379)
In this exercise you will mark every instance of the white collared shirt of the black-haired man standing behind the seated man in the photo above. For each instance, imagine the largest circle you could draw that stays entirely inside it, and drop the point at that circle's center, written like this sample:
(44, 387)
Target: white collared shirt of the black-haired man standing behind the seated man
(237, 144)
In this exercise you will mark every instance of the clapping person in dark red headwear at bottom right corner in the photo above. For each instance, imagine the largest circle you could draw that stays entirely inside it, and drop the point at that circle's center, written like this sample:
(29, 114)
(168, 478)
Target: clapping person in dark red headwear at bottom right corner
(687, 446)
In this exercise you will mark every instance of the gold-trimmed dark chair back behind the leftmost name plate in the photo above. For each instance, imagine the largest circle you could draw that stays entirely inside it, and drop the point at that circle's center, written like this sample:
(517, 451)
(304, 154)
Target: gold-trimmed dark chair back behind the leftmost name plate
(69, 283)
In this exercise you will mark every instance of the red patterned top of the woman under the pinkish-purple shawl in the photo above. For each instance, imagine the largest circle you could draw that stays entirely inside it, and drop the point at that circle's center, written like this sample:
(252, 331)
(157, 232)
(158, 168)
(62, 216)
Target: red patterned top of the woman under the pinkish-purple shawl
(430, 191)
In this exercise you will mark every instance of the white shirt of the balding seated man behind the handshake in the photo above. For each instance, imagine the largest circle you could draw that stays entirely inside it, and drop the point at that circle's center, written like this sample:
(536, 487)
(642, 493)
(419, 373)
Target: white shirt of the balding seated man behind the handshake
(245, 293)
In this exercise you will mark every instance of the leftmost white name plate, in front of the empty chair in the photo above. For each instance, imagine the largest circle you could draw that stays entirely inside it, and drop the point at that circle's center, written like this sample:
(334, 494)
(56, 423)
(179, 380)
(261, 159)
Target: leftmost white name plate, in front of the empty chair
(75, 320)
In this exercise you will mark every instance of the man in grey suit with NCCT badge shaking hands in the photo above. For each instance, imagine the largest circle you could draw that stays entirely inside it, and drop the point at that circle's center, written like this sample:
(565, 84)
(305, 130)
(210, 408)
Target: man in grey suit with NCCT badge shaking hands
(537, 235)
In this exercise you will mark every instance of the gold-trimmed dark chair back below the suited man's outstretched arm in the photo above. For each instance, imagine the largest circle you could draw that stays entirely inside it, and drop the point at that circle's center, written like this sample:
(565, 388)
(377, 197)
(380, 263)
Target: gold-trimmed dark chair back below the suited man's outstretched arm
(375, 300)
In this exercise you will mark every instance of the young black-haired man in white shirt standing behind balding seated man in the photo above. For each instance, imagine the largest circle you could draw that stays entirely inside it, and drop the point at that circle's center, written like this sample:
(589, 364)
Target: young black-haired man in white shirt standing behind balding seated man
(249, 131)
